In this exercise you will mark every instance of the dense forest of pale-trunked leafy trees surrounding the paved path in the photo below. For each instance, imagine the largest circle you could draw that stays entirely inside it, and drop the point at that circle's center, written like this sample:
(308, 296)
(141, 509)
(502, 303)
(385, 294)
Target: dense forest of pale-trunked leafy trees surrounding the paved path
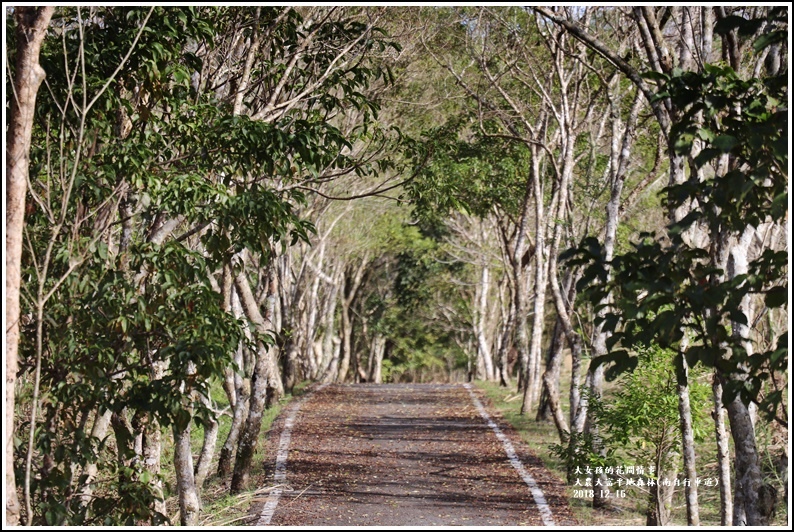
(209, 206)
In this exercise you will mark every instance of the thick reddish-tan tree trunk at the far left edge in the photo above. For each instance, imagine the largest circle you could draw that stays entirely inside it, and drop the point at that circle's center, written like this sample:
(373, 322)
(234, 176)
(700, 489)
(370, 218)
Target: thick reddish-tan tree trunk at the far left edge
(31, 28)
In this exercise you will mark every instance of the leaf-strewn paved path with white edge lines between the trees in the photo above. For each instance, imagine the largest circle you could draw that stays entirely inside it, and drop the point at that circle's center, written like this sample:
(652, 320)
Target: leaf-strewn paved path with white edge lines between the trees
(405, 455)
